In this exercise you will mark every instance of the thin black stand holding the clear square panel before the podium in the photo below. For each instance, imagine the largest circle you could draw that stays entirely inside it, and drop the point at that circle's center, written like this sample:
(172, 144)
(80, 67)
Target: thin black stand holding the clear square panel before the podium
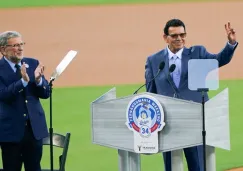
(203, 91)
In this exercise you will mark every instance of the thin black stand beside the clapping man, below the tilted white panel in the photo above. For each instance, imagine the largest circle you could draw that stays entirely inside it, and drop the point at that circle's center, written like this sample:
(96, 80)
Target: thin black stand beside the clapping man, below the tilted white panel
(51, 129)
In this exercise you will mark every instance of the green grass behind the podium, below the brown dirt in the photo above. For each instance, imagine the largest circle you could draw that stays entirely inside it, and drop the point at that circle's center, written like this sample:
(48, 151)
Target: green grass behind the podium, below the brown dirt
(71, 113)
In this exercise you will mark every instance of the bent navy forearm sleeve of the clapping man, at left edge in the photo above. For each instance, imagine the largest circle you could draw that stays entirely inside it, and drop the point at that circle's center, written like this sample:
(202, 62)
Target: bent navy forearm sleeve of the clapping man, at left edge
(8, 93)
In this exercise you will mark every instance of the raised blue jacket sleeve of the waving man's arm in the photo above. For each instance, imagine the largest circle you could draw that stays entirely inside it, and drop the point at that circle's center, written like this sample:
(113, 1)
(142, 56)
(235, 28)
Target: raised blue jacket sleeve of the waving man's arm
(223, 57)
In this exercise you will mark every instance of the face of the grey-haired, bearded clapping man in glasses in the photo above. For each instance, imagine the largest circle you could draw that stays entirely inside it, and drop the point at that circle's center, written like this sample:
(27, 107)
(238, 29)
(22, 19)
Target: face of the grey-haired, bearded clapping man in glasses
(14, 49)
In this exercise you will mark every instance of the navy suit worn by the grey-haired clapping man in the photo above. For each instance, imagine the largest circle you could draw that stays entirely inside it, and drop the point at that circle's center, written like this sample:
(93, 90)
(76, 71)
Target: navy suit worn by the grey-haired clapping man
(22, 118)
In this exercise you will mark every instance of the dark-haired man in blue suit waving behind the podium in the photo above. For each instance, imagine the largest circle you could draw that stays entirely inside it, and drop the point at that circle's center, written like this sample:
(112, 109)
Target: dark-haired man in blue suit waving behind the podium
(175, 84)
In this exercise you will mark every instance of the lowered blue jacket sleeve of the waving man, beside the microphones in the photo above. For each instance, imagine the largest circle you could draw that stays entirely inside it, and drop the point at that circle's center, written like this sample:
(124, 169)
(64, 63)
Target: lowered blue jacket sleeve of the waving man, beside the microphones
(150, 87)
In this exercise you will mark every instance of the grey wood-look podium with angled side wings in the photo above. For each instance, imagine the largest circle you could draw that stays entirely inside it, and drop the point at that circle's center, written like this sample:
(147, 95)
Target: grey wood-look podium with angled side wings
(183, 127)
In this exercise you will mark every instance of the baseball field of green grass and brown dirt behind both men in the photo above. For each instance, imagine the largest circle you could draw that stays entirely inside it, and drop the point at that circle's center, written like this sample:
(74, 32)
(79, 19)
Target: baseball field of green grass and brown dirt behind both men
(113, 39)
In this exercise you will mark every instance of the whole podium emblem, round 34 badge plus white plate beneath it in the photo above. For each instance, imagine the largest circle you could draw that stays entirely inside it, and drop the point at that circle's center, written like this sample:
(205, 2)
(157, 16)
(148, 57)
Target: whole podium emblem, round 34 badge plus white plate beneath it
(145, 117)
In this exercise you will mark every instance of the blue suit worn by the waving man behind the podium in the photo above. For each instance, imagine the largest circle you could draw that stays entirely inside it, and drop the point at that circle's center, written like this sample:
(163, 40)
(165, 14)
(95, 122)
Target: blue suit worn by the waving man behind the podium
(162, 86)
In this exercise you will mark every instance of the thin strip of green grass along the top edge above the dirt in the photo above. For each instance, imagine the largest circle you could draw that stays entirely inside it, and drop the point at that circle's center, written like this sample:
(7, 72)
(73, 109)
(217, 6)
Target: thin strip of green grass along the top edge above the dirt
(37, 3)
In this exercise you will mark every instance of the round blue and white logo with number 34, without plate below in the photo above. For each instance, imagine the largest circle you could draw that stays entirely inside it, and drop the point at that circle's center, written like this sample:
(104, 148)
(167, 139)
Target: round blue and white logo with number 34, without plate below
(145, 115)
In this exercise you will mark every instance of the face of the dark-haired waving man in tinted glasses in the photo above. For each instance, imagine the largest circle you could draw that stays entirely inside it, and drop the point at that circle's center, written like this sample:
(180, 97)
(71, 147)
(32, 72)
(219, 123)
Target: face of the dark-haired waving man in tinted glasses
(176, 38)
